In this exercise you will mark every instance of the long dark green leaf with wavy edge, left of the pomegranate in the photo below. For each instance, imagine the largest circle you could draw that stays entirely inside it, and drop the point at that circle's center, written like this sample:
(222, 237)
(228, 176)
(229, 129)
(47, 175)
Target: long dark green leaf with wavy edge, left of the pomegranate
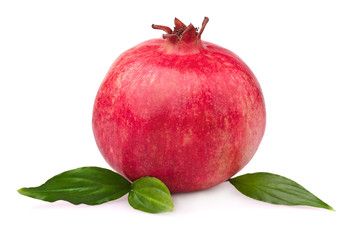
(88, 185)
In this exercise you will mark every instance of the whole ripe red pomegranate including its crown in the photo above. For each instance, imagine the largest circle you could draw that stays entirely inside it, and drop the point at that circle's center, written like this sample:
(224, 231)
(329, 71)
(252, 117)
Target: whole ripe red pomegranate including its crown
(180, 109)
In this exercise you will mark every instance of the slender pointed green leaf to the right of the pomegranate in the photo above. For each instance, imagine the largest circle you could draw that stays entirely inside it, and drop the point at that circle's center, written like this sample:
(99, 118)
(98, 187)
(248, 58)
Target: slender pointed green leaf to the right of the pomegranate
(275, 189)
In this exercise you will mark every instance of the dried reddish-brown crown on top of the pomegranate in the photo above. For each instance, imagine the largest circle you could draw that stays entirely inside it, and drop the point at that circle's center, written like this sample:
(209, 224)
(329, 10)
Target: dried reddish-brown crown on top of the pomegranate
(181, 32)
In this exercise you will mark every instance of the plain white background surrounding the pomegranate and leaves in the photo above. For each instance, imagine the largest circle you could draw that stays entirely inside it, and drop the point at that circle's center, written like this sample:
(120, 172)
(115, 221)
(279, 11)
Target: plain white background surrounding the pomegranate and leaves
(54, 55)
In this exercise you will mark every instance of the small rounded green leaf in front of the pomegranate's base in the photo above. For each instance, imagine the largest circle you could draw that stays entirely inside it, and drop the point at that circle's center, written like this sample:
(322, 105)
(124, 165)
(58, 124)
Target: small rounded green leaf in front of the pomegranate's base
(151, 195)
